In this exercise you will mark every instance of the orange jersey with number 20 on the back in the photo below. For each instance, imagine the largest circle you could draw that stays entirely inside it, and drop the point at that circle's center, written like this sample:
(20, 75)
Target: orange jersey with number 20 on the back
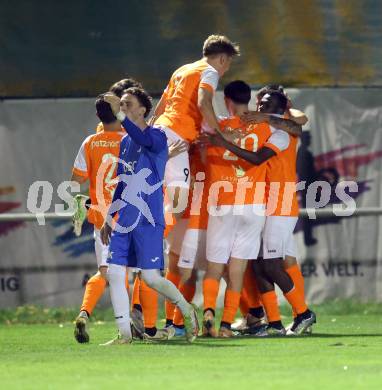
(246, 182)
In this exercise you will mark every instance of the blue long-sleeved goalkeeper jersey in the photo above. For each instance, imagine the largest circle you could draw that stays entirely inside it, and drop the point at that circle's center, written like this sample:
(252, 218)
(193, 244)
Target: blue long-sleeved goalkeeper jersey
(138, 197)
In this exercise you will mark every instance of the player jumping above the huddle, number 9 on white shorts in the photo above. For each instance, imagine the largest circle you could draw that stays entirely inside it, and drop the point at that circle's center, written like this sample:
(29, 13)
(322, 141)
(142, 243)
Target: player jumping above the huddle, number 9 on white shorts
(185, 103)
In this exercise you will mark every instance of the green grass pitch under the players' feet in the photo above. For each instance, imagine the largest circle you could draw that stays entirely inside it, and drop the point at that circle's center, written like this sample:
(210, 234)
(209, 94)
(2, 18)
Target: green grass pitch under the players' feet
(345, 352)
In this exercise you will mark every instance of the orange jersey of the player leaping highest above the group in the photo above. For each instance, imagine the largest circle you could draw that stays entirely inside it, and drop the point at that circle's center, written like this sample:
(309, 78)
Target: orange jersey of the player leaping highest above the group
(181, 113)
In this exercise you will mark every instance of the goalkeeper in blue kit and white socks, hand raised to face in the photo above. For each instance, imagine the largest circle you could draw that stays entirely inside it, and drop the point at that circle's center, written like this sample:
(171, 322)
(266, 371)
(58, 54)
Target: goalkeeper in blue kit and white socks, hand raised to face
(137, 237)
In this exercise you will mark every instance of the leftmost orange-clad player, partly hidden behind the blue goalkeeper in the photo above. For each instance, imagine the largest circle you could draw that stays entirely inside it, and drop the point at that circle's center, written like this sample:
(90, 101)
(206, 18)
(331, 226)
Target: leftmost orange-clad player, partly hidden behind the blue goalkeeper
(98, 151)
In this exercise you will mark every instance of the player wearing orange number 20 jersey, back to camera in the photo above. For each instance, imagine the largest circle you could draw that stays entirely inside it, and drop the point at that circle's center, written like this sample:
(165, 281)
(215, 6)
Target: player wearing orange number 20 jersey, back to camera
(237, 188)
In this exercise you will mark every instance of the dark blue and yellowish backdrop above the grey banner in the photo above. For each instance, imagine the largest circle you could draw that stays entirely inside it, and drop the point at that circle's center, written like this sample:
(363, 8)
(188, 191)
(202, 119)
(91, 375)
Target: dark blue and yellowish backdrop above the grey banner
(78, 48)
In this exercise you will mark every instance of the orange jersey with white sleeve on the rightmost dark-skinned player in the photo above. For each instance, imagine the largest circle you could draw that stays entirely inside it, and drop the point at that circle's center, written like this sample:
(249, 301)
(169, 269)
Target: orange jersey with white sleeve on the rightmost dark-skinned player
(281, 176)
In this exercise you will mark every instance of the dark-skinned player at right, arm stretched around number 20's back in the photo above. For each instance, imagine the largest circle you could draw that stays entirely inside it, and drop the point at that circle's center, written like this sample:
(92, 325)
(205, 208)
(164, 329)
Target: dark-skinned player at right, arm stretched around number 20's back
(280, 152)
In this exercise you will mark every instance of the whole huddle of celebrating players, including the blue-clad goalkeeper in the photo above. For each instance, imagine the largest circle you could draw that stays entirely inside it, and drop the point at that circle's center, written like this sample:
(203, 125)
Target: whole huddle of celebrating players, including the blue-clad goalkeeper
(217, 194)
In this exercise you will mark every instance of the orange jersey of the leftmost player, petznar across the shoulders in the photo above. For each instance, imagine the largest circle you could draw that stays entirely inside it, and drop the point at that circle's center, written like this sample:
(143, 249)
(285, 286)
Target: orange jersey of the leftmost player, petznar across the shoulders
(98, 155)
